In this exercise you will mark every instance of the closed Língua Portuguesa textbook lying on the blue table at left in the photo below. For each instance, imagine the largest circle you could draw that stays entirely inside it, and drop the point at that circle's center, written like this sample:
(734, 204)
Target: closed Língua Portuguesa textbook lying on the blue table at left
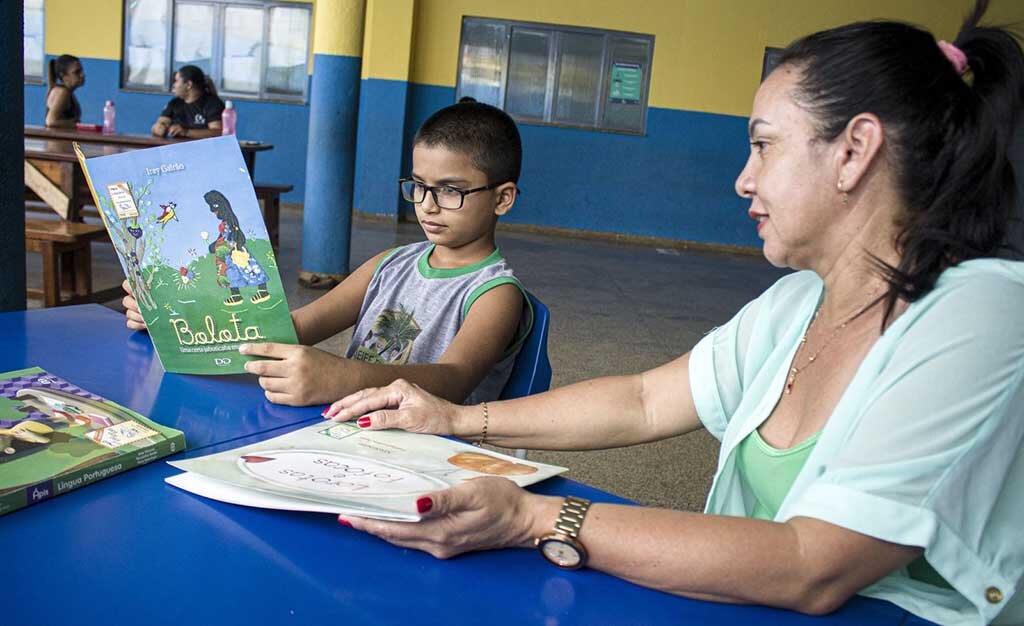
(56, 437)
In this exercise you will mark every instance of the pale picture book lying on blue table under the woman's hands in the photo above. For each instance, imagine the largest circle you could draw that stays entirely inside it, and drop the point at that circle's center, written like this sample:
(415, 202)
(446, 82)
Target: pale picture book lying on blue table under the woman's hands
(342, 469)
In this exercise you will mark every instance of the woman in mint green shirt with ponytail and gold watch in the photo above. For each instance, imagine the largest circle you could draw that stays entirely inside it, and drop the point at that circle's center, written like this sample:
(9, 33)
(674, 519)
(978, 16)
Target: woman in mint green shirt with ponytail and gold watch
(869, 407)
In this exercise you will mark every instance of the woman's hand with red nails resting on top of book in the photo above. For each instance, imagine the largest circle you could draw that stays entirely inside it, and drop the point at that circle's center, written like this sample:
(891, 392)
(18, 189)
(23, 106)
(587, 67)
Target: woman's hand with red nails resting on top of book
(400, 405)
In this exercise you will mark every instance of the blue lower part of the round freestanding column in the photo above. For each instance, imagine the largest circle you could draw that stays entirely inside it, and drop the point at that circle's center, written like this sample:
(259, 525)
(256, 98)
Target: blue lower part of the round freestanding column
(327, 216)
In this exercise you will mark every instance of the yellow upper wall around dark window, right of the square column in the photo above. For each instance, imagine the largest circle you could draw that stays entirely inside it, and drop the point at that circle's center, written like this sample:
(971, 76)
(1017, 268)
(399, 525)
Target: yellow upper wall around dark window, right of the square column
(708, 54)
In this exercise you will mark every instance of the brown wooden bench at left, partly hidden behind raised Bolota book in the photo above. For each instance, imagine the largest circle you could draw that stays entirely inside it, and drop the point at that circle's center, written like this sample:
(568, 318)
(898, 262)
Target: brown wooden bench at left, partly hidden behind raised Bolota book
(66, 247)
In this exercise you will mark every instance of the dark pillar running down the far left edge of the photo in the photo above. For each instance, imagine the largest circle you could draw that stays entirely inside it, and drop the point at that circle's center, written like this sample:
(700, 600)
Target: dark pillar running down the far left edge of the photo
(13, 157)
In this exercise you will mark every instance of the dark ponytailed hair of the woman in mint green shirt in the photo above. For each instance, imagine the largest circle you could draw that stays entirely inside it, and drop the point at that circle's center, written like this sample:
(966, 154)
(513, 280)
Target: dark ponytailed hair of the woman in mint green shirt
(947, 136)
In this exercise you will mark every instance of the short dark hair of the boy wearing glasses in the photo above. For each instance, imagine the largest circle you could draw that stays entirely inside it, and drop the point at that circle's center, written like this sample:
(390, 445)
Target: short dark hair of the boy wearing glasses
(485, 134)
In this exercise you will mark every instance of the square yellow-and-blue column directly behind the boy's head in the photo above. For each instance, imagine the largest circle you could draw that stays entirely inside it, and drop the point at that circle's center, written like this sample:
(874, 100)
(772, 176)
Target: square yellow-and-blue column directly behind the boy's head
(388, 45)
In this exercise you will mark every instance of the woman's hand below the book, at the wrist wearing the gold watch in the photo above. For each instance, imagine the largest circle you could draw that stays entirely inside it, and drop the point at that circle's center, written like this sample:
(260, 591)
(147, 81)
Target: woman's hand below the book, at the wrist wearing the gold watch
(484, 514)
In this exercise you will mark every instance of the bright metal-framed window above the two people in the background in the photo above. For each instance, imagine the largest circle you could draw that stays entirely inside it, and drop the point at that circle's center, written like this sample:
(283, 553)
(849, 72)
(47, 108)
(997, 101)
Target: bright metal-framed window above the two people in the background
(251, 49)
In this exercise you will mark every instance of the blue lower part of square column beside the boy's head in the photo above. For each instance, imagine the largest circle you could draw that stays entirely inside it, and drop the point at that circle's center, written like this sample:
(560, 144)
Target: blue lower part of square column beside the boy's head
(379, 157)
